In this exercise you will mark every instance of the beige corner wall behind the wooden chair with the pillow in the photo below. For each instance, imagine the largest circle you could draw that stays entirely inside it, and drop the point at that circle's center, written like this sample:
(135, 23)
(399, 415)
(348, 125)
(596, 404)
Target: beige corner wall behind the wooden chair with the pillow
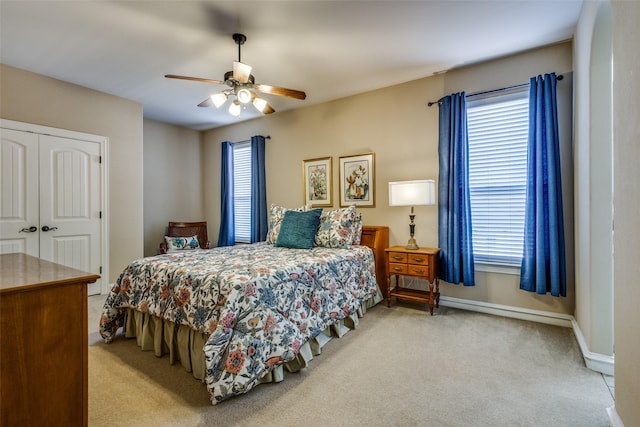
(172, 180)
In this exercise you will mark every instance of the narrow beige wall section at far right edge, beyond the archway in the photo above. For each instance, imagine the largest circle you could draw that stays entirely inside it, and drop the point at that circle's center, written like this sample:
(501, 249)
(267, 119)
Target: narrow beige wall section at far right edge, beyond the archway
(626, 105)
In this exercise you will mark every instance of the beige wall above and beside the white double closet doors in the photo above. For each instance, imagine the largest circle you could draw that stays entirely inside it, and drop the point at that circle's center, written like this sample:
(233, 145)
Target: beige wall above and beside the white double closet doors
(33, 98)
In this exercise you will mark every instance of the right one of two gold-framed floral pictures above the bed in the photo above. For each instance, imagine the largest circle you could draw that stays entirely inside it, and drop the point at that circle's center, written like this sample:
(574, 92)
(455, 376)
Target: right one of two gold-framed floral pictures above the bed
(357, 180)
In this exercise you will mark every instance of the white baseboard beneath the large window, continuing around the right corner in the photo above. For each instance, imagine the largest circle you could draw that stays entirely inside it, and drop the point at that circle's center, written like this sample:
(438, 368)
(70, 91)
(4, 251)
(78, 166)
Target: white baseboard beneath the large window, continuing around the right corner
(596, 362)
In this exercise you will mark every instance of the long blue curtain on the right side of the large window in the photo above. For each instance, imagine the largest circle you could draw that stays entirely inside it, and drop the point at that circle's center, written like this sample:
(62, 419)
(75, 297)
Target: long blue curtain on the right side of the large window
(543, 264)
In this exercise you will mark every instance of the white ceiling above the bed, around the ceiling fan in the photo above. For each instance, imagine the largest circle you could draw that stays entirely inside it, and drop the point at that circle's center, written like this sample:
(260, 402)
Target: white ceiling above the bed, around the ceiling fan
(329, 49)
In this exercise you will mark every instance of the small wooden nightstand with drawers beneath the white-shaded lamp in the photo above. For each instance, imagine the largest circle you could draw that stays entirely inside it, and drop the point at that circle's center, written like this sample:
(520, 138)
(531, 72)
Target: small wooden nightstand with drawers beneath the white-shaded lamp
(422, 263)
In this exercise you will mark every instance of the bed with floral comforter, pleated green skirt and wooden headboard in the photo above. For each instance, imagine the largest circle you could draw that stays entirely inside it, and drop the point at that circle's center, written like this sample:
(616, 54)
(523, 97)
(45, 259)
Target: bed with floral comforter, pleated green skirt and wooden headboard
(239, 316)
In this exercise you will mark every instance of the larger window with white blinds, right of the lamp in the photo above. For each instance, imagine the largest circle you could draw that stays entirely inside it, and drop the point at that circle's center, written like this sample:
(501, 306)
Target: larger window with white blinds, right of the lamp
(498, 131)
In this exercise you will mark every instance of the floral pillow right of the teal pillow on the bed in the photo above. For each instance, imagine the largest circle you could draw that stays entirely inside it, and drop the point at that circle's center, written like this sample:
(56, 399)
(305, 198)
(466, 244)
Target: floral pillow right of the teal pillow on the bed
(336, 228)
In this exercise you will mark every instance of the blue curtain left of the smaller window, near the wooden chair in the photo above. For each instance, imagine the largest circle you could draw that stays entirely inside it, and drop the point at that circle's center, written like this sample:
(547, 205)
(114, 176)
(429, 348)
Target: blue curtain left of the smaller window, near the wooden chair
(226, 235)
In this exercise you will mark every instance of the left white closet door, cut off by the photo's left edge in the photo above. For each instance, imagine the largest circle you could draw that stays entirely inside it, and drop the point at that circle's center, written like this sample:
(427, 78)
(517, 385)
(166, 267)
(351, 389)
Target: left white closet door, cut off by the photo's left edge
(19, 212)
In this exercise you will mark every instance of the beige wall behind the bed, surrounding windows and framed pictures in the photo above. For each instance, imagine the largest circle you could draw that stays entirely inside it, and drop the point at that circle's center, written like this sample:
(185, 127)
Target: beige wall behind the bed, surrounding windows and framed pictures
(396, 124)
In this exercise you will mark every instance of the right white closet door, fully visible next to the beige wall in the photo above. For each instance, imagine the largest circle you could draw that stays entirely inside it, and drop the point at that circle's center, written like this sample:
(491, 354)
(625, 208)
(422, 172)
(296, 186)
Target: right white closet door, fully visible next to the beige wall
(70, 204)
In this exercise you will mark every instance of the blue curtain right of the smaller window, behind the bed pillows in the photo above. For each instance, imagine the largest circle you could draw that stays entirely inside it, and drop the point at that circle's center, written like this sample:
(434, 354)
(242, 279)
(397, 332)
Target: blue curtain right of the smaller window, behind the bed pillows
(259, 213)
